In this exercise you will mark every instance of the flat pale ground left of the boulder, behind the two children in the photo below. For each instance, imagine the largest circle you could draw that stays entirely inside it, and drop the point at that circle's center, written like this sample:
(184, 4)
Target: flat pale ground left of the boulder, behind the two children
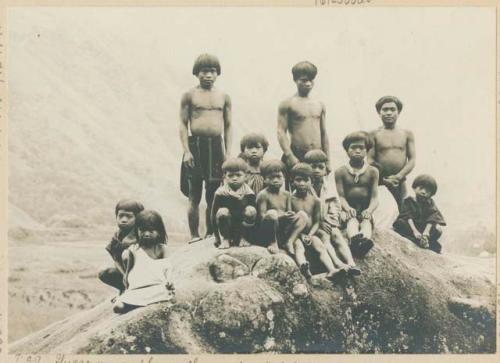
(55, 276)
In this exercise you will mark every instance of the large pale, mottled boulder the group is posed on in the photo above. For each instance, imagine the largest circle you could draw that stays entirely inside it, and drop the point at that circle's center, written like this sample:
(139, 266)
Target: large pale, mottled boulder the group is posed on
(246, 300)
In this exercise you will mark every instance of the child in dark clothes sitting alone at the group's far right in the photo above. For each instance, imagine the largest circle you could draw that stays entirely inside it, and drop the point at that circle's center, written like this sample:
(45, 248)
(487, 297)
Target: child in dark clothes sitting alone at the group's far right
(420, 220)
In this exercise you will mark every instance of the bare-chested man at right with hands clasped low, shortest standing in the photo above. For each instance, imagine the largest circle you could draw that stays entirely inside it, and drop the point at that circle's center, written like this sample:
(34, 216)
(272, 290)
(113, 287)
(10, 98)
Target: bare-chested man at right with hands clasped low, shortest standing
(393, 152)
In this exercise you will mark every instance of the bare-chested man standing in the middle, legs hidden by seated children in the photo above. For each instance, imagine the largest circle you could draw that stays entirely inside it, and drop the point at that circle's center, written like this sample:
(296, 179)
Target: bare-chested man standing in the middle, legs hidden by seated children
(303, 118)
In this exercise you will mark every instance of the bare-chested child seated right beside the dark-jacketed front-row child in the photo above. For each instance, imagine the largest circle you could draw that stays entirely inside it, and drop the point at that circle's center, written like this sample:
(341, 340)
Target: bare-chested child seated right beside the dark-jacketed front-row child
(279, 225)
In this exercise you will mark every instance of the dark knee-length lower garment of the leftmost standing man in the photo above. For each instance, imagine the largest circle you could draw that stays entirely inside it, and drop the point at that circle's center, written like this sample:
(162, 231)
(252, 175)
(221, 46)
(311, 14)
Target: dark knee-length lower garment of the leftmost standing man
(208, 154)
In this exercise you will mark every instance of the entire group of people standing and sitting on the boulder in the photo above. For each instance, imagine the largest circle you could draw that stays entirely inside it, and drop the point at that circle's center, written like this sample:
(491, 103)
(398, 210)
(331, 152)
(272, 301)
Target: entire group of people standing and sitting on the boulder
(295, 204)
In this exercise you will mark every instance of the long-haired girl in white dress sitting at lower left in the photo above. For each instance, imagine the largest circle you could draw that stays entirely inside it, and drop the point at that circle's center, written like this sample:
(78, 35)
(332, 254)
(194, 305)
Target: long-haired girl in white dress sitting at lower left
(147, 269)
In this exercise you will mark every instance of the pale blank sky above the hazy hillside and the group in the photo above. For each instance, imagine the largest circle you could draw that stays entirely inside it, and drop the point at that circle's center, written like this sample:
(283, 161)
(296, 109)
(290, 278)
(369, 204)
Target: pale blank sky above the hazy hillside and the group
(439, 61)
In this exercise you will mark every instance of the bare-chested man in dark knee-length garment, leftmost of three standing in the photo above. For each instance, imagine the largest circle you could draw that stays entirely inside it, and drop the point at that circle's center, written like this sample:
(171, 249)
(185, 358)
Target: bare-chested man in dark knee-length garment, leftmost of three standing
(205, 133)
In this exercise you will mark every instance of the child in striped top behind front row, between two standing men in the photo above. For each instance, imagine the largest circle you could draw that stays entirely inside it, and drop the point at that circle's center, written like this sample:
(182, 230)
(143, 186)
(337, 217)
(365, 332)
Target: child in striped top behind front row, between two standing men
(253, 148)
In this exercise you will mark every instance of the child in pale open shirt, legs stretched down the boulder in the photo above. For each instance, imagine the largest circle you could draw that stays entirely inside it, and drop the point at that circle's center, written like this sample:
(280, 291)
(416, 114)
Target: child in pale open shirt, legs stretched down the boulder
(329, 229)
